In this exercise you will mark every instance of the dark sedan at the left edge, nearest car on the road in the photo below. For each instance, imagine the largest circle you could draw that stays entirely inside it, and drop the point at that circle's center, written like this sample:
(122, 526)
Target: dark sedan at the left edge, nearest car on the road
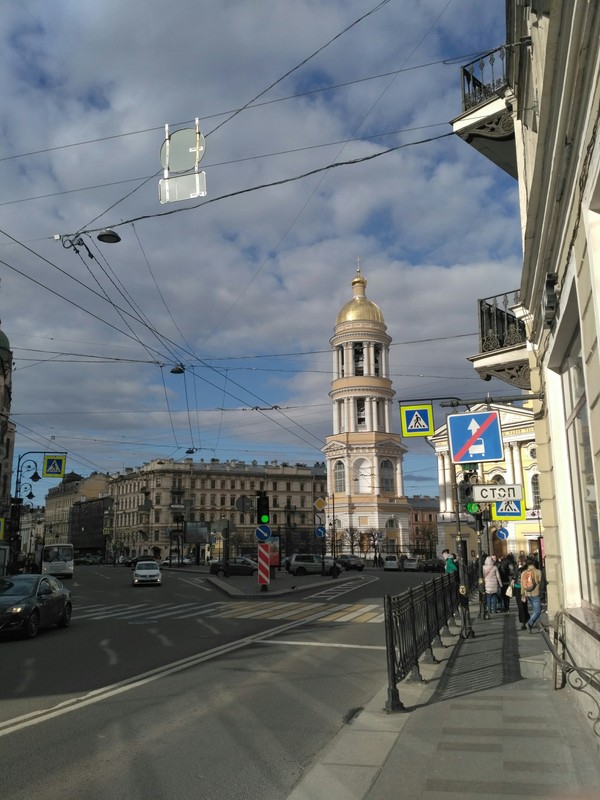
(29, 602)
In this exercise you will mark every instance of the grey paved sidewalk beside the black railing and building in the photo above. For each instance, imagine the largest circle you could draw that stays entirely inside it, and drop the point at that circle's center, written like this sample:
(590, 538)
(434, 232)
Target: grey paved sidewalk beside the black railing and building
(486, 725)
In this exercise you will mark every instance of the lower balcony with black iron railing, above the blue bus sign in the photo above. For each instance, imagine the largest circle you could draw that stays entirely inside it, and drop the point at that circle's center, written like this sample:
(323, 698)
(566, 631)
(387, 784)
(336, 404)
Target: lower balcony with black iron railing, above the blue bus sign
(502, 342)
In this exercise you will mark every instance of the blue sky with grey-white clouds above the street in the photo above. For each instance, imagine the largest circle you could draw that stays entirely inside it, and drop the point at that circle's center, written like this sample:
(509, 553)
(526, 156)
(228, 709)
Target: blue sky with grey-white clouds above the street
(327, 144)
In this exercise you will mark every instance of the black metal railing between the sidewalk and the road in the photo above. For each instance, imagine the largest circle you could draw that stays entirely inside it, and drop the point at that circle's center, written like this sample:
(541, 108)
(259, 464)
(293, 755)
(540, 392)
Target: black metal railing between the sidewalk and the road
(414, 621)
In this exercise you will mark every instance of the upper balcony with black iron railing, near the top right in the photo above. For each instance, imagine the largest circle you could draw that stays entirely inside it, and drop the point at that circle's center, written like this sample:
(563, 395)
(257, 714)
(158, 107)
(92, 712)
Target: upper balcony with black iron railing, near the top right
(486, 122)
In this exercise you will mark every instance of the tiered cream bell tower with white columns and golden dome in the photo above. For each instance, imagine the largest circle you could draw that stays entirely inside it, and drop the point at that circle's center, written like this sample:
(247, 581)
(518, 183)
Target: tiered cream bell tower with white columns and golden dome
(366, 505)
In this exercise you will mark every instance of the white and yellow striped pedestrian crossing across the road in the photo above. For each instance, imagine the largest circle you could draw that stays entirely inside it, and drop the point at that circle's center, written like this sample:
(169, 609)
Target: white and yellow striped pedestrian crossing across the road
(287, 611)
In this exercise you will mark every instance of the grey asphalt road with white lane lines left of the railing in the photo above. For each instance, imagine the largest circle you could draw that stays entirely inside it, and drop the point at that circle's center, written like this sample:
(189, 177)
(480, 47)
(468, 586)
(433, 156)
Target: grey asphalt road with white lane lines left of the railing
(182, 691)
